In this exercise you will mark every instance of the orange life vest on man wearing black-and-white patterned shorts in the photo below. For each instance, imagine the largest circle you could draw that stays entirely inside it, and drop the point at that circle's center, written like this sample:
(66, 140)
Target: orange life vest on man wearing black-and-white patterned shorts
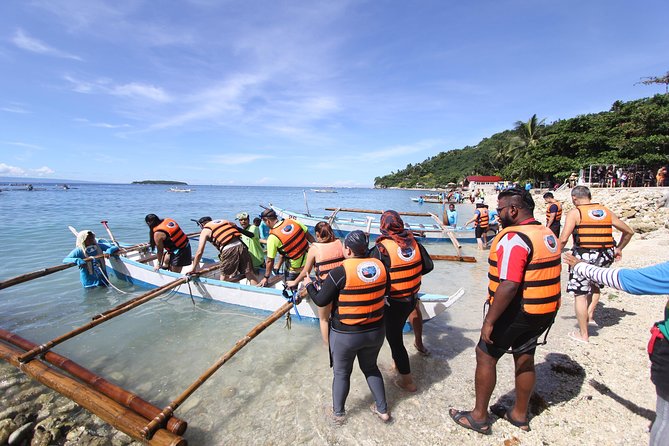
(595, 230)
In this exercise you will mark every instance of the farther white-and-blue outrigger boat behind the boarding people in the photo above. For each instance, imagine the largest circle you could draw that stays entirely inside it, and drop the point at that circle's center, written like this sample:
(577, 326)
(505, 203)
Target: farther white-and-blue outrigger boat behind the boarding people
(429, 232)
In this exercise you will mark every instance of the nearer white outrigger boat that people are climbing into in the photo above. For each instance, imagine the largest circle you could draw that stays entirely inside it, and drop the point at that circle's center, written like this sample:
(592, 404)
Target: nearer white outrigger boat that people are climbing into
(137, 268)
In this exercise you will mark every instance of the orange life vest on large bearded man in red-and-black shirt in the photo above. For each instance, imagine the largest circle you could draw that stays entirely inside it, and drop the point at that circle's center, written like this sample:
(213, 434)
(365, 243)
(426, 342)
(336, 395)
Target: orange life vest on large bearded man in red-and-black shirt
(540, 290)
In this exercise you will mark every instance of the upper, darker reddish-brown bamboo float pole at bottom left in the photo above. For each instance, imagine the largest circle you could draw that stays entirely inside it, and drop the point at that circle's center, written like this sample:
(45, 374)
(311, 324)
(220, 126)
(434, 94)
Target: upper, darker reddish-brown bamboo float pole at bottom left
(111, 390)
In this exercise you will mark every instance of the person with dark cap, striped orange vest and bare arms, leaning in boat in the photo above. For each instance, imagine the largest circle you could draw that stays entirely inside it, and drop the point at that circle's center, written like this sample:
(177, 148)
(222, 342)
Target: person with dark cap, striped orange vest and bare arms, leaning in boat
(233, 253)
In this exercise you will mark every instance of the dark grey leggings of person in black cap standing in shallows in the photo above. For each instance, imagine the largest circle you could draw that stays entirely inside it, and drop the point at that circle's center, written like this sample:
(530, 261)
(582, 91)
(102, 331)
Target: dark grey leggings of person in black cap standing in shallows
(345, 347)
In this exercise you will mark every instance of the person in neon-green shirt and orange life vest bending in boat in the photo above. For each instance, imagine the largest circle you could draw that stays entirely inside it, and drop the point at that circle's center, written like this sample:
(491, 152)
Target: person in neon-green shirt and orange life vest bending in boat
(288, 237)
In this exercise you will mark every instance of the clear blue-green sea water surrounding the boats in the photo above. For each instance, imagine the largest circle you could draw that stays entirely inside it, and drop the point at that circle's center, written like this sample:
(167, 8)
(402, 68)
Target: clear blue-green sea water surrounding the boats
(158, 349)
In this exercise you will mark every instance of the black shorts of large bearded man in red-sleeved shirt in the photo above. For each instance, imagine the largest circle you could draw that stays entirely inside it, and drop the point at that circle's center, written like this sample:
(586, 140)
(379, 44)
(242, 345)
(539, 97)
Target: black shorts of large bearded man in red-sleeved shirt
(515, 329)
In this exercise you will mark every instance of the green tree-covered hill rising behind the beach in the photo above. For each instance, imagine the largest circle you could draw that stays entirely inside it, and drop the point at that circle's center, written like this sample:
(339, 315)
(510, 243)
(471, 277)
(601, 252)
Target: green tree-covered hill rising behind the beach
(634, 133)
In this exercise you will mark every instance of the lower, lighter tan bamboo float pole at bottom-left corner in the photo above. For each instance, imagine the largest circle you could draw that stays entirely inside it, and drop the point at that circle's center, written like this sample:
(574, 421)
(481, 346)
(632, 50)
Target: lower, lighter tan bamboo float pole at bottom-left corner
(122, 418)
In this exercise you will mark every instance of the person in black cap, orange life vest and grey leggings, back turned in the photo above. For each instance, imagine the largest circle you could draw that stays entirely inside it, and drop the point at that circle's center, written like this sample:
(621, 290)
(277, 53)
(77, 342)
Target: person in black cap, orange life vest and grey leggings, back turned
(355, 291)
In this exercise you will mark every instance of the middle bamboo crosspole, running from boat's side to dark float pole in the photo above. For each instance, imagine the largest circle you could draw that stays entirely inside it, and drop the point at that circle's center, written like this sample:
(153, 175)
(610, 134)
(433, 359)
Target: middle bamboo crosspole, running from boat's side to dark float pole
(123, 308)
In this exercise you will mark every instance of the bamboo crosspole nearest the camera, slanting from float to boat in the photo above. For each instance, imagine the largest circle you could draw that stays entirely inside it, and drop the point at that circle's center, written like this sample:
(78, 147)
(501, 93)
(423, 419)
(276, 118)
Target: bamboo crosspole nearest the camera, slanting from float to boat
(167, 412)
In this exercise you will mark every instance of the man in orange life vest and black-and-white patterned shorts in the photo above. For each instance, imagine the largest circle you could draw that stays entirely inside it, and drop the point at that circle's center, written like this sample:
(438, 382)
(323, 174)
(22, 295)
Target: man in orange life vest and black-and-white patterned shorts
(592, 225)
